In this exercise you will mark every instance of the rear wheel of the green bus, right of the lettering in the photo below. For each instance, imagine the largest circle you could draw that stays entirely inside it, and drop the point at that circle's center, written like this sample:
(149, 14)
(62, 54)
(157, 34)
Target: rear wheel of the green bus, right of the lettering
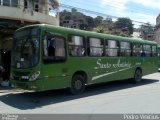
(137, 76)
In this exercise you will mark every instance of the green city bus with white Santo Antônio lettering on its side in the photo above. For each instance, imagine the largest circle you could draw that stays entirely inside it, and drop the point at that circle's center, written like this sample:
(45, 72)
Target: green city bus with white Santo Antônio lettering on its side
(46, 57)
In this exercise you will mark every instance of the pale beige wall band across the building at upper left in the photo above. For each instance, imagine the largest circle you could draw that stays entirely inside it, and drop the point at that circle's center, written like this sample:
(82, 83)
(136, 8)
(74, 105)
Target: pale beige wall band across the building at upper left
(27, 15)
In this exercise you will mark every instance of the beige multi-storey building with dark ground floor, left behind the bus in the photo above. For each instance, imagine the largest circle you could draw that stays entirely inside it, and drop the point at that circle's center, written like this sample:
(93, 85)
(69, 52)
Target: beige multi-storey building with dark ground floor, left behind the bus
(17, 13)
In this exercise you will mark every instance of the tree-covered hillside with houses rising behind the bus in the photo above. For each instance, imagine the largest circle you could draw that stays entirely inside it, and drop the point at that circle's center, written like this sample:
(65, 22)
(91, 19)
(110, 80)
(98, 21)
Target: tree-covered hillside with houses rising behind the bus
(98, 23)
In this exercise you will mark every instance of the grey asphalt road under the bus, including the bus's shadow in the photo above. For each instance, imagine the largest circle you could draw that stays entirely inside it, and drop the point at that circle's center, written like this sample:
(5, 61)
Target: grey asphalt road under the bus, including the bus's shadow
(113, 97)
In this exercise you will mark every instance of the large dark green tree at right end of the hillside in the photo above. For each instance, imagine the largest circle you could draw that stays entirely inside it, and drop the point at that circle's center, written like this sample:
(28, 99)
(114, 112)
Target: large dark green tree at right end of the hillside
(124, 23)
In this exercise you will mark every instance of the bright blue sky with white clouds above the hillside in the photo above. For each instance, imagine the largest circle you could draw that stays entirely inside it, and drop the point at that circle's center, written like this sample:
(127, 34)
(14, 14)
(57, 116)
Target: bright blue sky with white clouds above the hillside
(137, 10)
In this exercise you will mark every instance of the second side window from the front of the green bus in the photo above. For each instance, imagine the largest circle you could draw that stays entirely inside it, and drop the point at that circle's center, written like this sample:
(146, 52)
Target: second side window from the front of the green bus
(76, 46)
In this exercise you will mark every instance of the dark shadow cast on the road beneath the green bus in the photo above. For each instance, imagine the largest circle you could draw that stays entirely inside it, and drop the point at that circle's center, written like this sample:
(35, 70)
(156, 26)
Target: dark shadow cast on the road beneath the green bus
(26, 101)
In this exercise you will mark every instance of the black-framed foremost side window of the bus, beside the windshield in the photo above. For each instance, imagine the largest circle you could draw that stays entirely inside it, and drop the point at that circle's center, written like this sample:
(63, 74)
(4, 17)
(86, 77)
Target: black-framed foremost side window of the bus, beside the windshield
(54, 49)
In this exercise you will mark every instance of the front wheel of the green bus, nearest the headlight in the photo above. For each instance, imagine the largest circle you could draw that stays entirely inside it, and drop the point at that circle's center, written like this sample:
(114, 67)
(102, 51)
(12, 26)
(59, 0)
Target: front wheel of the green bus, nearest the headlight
(77, 84)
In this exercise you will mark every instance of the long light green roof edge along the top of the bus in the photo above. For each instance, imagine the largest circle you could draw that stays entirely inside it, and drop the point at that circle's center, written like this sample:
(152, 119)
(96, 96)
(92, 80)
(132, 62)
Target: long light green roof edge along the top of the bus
(90, 33)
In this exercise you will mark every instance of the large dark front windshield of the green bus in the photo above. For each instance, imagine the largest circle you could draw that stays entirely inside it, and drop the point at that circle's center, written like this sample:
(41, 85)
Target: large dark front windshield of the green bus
(25, 51)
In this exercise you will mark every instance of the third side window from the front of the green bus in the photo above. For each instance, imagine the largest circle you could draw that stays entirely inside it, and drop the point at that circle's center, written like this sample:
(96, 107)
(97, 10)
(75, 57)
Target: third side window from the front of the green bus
(95, 47)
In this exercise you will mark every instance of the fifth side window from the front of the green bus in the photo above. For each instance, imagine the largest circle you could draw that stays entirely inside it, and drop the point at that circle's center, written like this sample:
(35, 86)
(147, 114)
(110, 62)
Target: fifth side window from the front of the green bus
(125, 49)
